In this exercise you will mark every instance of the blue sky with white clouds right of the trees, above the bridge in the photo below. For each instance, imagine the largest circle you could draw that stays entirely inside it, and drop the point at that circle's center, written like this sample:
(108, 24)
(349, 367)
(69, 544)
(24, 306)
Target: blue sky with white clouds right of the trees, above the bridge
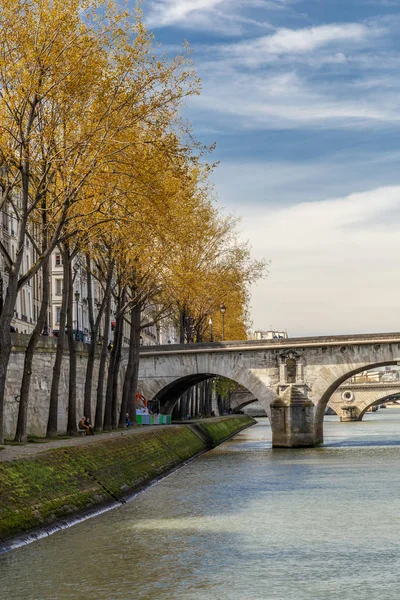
(303, 101)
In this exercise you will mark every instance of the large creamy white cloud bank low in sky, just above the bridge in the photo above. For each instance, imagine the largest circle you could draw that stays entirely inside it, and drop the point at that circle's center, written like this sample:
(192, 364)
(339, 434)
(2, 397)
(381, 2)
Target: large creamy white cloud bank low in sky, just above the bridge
(333, 267)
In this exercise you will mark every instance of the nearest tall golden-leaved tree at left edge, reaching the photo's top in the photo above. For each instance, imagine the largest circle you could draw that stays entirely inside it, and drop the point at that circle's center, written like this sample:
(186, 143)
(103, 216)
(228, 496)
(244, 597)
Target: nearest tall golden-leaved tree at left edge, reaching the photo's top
(76, 82)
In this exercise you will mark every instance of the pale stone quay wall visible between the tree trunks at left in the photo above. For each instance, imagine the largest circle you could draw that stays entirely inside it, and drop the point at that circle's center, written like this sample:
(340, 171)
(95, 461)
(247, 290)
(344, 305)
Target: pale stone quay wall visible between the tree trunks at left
(42, 373)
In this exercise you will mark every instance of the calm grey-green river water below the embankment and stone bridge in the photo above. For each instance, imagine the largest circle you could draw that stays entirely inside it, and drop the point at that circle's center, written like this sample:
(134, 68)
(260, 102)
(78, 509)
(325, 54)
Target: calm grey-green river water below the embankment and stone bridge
(243, 522)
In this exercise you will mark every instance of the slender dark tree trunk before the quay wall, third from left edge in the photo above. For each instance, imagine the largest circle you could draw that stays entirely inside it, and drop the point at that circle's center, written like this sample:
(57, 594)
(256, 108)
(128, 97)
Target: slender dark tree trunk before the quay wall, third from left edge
(52, 422)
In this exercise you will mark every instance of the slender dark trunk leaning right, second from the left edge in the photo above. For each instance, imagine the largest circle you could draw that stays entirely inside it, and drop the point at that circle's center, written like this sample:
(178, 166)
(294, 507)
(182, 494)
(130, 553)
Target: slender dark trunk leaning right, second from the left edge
(21, 433)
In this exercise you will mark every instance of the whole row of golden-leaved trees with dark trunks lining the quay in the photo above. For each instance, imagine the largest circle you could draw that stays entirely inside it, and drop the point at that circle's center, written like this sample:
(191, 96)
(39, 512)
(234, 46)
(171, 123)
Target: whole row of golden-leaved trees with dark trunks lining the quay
(95, 159)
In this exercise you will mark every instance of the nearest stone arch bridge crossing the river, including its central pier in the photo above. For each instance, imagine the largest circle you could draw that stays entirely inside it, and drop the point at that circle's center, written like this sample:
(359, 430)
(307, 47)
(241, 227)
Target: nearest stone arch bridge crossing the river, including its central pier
(293, 379)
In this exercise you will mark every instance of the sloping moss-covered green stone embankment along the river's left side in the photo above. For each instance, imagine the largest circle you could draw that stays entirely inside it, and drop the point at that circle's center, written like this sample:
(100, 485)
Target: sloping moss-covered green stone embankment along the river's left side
(54, 486)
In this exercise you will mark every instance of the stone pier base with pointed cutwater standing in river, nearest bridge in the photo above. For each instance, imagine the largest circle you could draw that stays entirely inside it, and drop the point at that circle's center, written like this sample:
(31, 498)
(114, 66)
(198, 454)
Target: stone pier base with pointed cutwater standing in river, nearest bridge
(293, 420)
